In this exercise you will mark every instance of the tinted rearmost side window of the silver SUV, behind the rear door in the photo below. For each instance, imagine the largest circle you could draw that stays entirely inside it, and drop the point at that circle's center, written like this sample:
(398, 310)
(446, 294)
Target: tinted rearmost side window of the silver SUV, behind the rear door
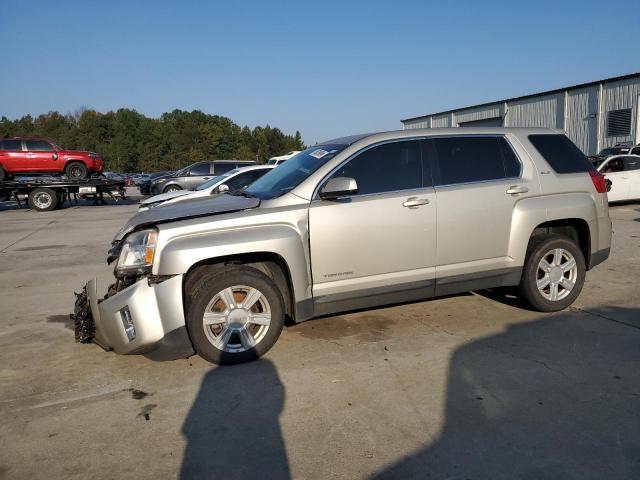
(561, 153)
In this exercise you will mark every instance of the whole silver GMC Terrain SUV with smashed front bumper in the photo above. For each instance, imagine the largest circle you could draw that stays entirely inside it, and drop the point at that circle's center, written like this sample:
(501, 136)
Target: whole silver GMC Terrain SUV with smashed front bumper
(355, 222)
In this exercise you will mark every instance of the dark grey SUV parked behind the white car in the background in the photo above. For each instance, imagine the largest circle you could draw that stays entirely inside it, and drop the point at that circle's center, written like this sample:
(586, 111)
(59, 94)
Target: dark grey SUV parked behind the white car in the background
(190, 177)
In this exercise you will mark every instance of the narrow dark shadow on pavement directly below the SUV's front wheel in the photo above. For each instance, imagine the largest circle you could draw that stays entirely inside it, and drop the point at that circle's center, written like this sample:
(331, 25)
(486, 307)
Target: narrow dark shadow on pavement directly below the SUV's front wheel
(232, 430)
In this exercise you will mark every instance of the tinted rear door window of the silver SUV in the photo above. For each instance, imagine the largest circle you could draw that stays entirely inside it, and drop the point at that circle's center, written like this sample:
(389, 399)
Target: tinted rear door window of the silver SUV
(468, 159)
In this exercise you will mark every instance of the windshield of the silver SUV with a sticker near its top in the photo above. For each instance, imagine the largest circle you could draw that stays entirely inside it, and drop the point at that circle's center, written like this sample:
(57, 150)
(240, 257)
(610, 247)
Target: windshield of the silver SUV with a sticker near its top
(292, 172)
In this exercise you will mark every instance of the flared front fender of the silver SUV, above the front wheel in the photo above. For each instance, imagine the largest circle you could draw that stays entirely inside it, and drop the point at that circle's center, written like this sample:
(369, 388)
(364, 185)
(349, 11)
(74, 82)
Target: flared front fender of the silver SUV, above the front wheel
(178, 255)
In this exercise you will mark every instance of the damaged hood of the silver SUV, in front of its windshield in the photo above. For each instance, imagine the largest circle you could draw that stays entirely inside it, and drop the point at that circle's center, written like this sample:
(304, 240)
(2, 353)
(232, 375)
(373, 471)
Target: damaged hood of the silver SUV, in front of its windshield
(198, 207)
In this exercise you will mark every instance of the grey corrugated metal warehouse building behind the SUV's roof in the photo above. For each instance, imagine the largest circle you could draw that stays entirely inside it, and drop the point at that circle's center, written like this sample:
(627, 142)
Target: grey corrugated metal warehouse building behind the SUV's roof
(595, 115)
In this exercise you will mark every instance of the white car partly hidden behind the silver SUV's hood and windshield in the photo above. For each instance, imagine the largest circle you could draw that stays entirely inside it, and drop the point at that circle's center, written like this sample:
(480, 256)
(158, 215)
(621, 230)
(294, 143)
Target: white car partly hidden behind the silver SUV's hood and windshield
(231, 181)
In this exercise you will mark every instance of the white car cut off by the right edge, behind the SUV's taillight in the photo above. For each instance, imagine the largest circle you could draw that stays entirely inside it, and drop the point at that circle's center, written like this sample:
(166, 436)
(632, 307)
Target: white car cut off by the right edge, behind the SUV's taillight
(624, 173)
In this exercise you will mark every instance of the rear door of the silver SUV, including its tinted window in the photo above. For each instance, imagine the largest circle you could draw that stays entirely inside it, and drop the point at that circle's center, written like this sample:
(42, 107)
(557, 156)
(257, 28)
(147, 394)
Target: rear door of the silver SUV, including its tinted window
(478, 181)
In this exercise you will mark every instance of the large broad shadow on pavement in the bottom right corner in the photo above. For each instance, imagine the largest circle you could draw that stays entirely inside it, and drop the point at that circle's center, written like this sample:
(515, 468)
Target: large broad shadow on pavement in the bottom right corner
(556, 398)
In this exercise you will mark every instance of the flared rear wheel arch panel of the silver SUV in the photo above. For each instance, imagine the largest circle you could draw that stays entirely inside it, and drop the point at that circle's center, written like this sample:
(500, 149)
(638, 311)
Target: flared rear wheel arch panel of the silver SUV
(531, 212)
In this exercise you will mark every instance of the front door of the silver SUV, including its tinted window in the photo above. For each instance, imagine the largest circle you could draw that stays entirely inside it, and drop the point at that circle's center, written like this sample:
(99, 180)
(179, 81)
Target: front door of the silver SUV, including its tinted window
(378, 245)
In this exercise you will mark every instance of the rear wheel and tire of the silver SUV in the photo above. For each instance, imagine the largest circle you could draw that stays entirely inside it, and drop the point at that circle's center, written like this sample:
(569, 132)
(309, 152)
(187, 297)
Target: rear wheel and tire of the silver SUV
(554, 273)
